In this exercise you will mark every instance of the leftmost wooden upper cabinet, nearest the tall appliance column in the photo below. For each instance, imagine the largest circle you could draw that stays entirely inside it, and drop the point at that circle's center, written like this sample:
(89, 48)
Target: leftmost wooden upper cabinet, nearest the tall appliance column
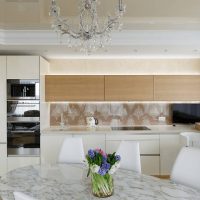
(74, 88)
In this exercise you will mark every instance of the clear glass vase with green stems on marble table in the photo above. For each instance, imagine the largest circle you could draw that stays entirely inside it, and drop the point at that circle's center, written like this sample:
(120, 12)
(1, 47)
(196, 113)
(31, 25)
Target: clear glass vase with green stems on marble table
(102, 186)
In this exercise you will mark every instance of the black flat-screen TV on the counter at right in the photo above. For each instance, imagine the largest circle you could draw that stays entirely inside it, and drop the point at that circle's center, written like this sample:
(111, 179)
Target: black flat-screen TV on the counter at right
(185, 113)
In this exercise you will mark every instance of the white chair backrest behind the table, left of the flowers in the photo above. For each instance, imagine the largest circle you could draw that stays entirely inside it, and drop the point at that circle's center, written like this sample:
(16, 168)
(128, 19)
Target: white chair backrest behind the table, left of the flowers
(72, 151)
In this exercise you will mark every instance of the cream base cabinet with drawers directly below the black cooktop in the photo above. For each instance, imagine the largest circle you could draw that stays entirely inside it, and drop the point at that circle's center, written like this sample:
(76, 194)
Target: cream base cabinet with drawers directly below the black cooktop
(149, 150)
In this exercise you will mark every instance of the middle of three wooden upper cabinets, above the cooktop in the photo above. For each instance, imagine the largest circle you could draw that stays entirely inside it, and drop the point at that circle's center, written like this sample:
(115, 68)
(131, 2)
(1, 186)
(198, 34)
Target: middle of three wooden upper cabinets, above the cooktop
(128, 88)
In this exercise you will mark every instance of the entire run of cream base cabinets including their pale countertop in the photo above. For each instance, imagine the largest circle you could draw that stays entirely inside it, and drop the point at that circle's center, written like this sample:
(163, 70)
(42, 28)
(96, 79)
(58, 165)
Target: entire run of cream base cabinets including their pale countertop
(158, 146)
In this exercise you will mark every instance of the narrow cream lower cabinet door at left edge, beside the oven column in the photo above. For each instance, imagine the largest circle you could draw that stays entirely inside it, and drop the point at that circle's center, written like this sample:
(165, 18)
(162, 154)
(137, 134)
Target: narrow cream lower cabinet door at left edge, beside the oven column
(3, 159)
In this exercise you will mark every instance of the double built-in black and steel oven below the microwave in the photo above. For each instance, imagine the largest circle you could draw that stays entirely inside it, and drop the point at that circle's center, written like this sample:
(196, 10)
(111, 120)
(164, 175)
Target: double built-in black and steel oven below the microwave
(23, 127)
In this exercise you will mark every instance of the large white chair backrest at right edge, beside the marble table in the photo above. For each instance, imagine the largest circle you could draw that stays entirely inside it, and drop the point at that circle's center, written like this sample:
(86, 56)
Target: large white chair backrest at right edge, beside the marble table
(186, 167)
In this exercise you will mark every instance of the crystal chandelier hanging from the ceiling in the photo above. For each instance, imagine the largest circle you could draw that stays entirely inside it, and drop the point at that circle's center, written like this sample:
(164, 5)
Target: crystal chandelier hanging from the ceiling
(91, 34)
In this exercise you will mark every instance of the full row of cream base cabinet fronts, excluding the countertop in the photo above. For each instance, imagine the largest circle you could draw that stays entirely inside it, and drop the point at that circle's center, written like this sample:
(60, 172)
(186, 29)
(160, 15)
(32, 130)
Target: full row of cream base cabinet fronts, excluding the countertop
(158, 152)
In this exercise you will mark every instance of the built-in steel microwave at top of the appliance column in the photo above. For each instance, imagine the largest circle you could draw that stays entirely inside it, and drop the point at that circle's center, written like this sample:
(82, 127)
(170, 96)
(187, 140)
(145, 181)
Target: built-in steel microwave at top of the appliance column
(22, 89)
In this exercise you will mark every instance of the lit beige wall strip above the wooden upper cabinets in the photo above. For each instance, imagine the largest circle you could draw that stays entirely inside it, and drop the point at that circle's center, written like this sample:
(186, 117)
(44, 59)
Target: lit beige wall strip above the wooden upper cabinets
(126, 66)
